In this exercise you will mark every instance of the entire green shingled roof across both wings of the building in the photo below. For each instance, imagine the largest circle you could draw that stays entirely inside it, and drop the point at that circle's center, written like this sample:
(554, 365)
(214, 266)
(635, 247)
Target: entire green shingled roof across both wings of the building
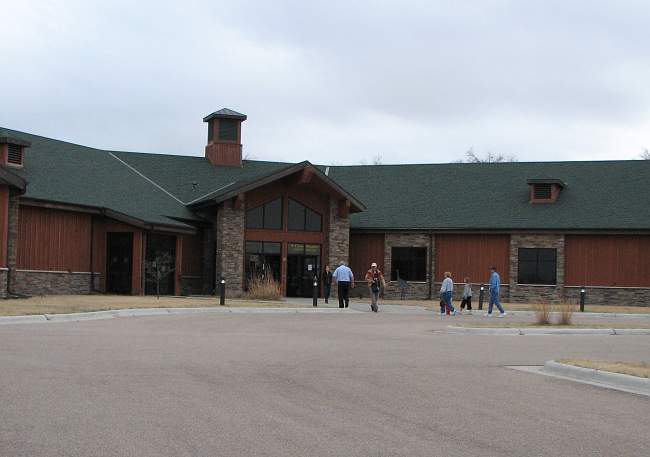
(156, 188)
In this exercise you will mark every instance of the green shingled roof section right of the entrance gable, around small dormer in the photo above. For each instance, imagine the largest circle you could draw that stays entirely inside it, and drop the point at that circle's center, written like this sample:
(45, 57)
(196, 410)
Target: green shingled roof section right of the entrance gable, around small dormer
(487, 196)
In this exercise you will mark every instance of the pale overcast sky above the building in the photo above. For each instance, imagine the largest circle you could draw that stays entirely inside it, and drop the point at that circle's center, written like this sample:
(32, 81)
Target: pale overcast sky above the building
(334, 82)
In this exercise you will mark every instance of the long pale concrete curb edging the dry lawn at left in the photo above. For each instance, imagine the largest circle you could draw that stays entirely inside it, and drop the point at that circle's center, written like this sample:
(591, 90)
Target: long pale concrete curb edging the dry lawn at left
(144, 312)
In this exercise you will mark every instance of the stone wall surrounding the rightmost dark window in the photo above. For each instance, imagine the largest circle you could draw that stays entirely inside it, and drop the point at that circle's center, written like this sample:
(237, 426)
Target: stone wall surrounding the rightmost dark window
(521, 293)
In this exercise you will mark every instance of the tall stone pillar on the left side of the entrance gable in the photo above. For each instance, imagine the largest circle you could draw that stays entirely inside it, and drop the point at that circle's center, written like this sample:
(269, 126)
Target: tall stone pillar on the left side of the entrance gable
(229, 261)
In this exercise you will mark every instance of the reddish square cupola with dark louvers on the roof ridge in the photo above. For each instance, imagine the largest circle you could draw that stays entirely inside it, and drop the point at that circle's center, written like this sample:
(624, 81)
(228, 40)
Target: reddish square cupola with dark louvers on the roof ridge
(224, 138)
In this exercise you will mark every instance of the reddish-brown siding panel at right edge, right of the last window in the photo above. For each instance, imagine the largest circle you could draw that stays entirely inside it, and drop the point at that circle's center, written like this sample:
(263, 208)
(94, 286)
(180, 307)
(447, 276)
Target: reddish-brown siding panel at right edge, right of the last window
(607, 260)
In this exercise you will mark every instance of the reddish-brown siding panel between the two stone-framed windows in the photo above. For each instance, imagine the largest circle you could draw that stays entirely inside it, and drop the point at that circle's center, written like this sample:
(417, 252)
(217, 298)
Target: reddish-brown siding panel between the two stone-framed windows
(472, 256)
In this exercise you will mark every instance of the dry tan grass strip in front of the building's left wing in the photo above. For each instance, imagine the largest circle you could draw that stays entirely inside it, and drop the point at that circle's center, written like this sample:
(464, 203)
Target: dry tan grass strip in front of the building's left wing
(61, 304)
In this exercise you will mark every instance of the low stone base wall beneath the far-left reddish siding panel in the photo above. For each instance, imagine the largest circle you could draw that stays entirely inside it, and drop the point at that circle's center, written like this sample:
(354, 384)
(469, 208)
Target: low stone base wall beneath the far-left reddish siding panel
(52, 283)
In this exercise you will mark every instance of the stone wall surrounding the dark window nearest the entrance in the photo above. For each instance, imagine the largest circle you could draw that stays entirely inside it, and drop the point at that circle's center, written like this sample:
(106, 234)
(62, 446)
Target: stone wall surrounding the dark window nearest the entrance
(415, 290)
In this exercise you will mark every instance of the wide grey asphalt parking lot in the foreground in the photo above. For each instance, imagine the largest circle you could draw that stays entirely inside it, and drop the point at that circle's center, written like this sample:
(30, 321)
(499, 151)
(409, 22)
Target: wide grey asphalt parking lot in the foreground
(343, 384)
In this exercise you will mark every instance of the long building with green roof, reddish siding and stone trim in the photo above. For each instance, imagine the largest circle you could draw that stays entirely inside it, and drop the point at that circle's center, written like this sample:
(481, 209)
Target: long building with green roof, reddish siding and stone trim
(75, 219)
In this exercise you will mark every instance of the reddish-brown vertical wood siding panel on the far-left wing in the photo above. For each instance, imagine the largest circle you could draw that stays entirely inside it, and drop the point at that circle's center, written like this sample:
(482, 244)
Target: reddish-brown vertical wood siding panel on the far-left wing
(53, 240)
